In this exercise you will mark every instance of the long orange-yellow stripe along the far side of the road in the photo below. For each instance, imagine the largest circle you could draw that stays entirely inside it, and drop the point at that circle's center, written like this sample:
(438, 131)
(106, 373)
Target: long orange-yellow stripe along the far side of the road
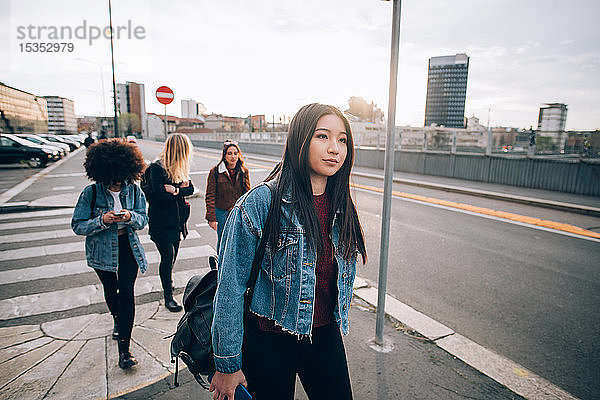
(550, 226)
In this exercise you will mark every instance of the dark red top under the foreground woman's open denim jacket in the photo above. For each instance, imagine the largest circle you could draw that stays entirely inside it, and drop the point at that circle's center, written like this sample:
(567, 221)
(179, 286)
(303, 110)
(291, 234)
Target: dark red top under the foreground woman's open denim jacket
(326, 273)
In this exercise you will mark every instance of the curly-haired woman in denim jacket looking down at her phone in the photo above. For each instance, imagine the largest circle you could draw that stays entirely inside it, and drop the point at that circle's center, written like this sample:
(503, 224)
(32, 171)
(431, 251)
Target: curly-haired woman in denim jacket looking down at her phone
(109, 220)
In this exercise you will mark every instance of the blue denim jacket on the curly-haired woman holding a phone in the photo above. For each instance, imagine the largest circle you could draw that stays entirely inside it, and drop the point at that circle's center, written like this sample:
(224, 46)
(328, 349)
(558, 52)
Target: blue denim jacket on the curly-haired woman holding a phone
(101, 240)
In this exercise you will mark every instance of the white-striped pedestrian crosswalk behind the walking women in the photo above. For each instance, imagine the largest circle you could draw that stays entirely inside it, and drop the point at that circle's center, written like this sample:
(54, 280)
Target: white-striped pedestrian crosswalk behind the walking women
(40, 253)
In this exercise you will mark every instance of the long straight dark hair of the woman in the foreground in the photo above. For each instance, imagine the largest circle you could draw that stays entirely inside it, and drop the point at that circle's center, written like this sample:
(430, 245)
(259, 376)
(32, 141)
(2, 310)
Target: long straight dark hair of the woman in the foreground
(294, 172)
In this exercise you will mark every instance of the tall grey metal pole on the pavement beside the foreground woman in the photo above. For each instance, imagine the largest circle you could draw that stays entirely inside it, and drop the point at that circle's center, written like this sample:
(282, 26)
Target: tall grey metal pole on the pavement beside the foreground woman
(389, 172)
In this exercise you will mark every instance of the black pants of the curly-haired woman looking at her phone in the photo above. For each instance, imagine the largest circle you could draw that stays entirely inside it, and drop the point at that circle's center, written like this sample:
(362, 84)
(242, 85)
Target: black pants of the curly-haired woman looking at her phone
(118, 288)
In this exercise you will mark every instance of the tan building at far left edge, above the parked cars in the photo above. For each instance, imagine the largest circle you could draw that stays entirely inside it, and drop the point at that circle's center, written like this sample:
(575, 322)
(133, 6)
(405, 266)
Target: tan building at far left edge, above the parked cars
(22, 112)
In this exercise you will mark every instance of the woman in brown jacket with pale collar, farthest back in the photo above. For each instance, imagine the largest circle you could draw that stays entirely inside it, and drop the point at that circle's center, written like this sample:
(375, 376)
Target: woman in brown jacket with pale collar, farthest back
(227, 181)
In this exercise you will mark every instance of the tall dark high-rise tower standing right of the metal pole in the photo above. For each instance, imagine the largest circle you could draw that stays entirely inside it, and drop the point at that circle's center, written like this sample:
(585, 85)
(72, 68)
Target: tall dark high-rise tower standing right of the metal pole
(447, 91)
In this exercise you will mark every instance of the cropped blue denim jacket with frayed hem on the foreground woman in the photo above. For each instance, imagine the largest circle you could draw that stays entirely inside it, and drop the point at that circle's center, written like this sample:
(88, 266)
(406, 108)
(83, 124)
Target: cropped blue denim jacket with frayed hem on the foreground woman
(285, 287)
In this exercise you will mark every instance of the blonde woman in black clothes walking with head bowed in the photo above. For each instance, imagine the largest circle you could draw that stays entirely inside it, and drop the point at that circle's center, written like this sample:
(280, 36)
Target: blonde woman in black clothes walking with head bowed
(166, 184)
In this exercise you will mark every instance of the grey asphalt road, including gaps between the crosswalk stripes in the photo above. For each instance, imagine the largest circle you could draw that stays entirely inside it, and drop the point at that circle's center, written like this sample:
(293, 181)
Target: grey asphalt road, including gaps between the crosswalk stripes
(527, 294)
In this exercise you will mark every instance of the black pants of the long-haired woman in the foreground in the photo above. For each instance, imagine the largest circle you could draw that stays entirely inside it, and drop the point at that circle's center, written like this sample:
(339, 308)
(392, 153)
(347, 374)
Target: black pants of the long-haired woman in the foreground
(272, 360)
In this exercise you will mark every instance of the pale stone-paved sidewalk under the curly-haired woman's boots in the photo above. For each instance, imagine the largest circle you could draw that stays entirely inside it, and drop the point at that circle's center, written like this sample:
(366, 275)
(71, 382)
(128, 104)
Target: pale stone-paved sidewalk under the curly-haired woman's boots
(76, 358)
